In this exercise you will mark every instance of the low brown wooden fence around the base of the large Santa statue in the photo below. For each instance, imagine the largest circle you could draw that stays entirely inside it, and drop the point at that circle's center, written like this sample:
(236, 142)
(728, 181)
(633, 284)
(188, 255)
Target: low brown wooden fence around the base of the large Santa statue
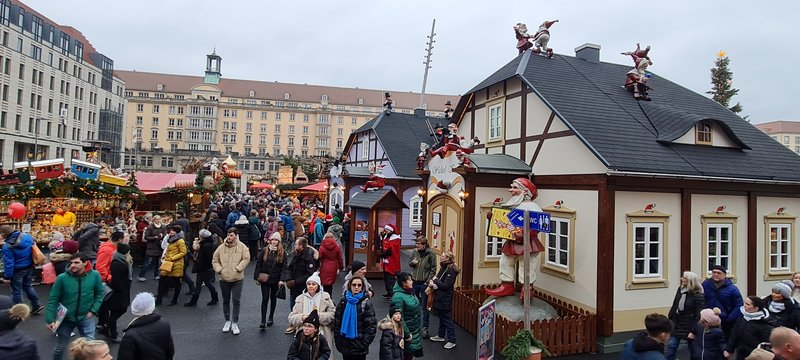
(573, 332)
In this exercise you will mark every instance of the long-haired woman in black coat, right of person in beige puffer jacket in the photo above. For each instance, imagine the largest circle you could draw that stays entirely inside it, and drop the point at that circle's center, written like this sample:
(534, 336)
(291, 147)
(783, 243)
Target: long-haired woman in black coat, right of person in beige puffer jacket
(271, 262)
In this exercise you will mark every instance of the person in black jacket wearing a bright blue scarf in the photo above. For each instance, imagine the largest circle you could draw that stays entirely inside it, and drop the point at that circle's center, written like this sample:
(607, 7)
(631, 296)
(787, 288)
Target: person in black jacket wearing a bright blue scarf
(354, 324)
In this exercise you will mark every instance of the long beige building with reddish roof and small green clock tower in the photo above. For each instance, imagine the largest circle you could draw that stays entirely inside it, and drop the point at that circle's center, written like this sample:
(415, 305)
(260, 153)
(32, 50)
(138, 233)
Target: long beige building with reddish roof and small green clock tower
(173, 119)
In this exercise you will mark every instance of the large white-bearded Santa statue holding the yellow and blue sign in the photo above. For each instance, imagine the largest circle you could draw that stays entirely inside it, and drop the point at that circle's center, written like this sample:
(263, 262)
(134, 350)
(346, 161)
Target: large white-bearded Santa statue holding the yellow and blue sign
(523, 192)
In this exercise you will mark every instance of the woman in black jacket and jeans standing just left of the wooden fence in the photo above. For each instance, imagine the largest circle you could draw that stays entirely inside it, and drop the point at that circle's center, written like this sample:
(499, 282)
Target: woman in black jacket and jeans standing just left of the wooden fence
(443, 284)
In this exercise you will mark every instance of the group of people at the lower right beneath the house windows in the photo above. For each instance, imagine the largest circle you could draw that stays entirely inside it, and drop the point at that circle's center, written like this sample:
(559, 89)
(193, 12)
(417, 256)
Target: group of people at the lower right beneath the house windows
(719, 323)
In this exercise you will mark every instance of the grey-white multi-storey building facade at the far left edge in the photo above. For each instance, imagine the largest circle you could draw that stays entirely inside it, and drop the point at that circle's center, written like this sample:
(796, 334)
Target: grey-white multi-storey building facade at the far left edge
(58, 94)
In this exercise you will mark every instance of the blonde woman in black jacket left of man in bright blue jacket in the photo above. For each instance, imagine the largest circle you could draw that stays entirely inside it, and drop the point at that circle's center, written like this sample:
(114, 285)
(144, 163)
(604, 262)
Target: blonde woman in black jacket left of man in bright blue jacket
(685, 312)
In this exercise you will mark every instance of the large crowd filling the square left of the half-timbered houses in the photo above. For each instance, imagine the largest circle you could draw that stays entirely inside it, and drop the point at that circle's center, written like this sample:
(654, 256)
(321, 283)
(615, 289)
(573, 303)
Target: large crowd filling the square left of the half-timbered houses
(298, 252)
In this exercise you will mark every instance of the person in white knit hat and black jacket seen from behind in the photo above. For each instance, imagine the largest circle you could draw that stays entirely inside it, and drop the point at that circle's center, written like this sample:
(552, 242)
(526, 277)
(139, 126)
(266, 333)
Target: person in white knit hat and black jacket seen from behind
(148, 335)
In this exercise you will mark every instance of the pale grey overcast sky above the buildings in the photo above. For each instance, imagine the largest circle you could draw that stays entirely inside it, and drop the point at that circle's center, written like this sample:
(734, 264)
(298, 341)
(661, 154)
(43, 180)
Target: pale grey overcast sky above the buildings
(381, 44)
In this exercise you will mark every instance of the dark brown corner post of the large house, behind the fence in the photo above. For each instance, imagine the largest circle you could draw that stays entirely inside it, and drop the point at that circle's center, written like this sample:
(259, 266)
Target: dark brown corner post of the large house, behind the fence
(605, 259)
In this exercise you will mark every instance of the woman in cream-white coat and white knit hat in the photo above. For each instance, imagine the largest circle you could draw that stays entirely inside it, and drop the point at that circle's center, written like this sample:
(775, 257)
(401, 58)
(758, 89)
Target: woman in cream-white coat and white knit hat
(313, 298)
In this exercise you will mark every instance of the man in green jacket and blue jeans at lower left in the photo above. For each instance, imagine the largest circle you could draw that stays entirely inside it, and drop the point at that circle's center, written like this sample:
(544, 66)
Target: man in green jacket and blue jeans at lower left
(80, 290)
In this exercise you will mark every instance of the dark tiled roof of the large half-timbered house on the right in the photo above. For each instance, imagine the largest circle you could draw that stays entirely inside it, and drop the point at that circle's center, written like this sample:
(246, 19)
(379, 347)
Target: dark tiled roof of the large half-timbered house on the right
(589, 97)
